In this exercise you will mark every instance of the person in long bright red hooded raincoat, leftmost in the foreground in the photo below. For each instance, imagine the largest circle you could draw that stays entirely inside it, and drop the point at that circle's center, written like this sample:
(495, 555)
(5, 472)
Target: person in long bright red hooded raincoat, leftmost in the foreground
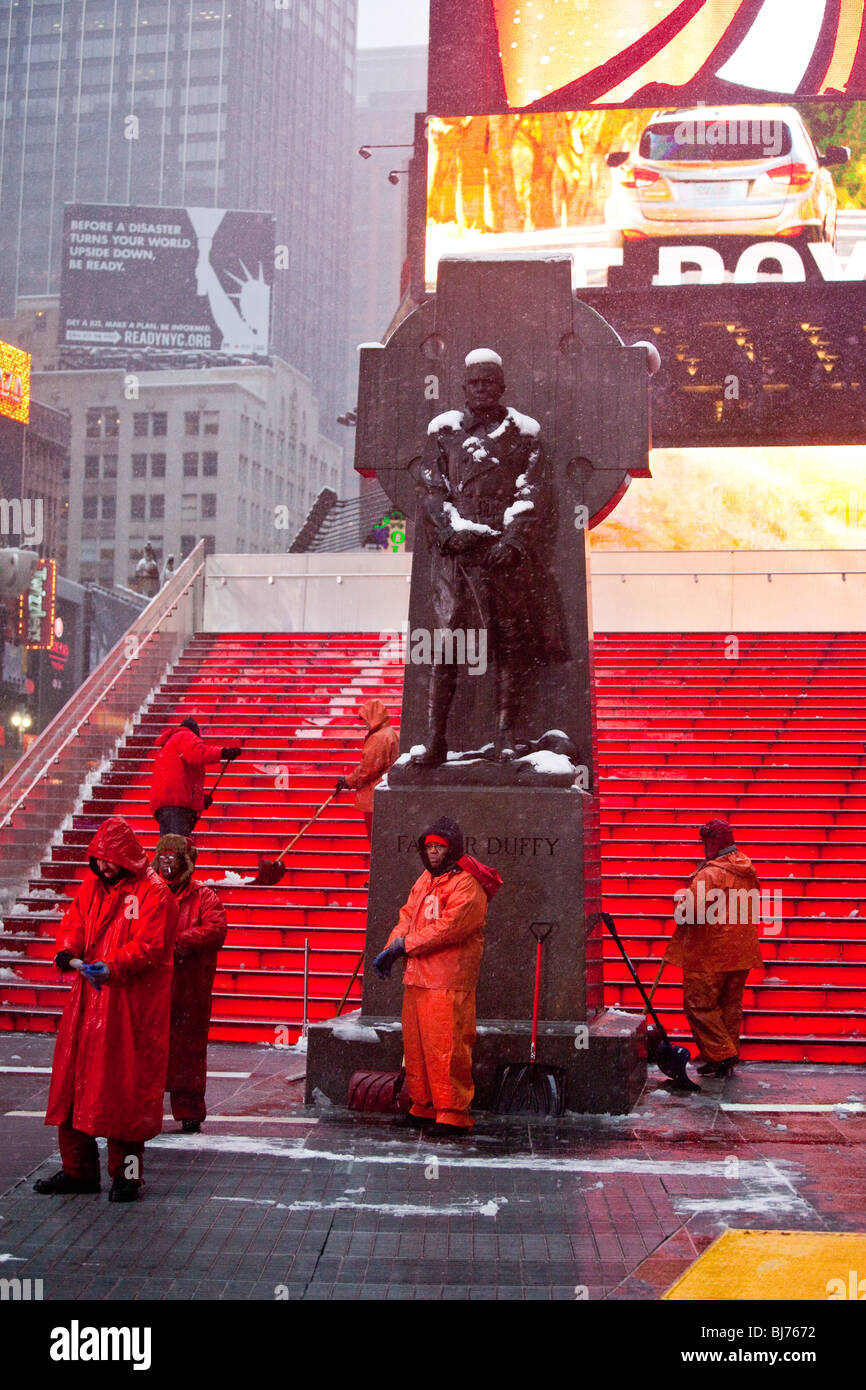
(112, 1050)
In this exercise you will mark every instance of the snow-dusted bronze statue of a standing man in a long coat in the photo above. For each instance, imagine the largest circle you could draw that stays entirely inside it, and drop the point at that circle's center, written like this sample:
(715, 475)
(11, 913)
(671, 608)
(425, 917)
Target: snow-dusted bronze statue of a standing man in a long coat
(490, 519)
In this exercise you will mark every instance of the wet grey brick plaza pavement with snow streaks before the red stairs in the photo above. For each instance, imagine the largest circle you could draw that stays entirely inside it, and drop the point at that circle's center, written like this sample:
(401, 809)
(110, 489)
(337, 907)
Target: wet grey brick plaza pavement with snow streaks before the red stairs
(277, 1202)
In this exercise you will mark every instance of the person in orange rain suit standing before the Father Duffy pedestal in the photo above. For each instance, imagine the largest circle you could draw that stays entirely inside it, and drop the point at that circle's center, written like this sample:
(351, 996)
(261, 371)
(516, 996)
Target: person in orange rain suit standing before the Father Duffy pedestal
(441, 935)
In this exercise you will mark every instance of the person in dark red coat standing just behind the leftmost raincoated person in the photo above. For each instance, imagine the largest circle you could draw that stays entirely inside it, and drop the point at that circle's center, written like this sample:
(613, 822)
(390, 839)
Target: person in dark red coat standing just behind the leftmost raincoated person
(201, 933)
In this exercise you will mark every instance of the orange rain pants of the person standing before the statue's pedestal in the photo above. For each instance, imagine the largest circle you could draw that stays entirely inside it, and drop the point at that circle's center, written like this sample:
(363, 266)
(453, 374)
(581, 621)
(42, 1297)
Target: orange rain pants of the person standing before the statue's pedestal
(439, 1036)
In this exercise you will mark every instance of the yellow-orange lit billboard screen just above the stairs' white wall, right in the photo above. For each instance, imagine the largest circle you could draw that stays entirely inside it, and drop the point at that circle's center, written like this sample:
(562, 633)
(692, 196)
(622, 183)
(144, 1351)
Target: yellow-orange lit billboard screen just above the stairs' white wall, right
(743, 500)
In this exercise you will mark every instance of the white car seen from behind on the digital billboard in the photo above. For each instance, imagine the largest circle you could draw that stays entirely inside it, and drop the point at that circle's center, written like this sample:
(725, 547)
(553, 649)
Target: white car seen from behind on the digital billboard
(714, 174)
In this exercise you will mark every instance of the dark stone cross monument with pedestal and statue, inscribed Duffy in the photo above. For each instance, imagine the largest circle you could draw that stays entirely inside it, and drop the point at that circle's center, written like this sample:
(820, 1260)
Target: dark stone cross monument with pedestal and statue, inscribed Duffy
(507, 418)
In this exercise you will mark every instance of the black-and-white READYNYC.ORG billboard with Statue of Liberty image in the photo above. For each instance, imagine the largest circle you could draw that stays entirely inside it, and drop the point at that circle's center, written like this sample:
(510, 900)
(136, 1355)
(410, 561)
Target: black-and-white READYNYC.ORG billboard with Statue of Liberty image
(174, 280)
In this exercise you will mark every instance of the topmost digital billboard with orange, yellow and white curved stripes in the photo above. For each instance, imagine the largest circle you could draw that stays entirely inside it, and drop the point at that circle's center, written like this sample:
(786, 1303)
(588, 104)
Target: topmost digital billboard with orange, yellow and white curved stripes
(564, 55)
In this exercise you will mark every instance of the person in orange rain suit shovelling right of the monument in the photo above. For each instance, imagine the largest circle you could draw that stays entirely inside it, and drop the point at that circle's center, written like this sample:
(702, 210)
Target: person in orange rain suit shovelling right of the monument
(717, 946)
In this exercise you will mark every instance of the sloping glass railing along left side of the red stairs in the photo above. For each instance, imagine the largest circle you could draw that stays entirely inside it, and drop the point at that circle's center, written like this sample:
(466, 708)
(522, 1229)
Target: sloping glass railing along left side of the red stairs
(45, 786)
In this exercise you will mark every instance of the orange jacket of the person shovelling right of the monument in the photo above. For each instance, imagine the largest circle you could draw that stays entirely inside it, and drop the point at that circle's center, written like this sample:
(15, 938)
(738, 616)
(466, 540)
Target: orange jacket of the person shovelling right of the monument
(722, 908)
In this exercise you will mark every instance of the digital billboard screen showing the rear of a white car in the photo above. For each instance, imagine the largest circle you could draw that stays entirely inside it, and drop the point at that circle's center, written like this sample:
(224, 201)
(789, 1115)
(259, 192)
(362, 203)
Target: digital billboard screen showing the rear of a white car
(657, 197)
